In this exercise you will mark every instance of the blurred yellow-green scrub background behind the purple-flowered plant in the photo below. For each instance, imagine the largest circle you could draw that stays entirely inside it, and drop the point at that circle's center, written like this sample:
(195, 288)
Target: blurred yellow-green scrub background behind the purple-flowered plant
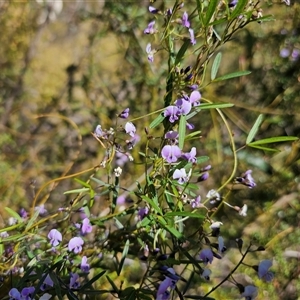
(67, 66)
